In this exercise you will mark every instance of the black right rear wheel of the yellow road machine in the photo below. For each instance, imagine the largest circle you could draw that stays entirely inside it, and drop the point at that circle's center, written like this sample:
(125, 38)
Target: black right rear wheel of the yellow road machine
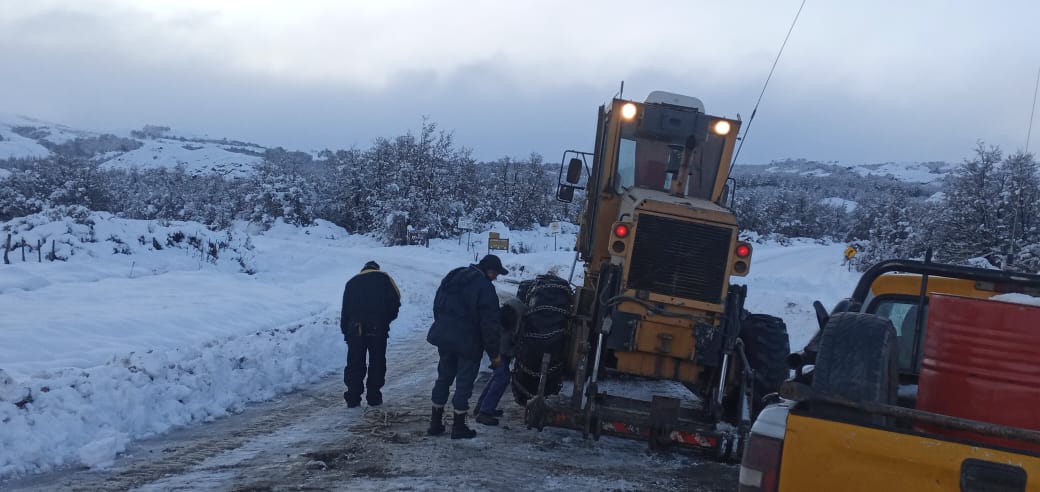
(767, 346)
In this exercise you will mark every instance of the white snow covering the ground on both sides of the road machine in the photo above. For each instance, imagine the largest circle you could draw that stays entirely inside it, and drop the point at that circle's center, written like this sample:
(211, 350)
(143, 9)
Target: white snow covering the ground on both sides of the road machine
(125, 341)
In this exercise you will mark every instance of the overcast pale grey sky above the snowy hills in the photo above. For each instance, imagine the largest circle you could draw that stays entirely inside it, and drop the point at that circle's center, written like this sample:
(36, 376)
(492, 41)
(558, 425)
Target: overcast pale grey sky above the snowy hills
(861, 82)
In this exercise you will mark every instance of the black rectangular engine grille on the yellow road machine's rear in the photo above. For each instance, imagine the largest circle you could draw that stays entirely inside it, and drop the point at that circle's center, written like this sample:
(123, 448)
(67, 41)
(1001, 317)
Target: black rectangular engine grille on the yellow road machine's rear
(680, 258)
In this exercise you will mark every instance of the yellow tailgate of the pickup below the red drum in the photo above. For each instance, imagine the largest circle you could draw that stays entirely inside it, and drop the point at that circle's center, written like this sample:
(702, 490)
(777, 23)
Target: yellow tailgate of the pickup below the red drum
(826, 455)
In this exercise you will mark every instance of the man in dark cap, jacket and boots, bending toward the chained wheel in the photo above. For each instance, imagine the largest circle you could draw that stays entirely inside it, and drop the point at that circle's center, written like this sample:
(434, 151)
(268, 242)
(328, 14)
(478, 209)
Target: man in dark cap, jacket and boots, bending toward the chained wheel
(466, 324)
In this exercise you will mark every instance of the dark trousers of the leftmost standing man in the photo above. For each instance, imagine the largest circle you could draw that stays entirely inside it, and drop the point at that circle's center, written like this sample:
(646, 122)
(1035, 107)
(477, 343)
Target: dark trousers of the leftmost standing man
(354, 375)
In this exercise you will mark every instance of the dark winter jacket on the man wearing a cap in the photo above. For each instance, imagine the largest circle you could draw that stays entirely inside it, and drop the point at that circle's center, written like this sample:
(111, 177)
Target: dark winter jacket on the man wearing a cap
(466, 315)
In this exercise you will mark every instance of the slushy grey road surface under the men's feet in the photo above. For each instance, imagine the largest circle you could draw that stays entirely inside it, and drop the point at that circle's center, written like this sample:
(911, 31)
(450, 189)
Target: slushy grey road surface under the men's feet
(309, 441)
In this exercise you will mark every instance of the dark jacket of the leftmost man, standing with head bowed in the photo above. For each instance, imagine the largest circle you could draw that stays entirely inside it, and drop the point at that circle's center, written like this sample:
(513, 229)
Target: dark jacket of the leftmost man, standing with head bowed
(371, 302)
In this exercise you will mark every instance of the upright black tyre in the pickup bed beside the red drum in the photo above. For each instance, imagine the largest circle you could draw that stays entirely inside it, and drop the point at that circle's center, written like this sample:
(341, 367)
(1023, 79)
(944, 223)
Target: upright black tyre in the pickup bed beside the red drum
(857, 361)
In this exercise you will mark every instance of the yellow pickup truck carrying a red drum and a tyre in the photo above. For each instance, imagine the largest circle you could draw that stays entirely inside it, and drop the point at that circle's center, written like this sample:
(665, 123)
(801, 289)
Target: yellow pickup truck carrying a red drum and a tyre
(885, 399)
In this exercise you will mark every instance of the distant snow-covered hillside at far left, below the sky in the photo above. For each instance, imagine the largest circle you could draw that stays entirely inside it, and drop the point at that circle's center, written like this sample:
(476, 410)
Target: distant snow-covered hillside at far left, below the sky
(149, 148)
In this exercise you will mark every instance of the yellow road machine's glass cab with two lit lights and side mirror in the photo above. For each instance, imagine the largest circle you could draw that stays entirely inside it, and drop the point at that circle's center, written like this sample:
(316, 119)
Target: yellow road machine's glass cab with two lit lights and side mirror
(667, 146)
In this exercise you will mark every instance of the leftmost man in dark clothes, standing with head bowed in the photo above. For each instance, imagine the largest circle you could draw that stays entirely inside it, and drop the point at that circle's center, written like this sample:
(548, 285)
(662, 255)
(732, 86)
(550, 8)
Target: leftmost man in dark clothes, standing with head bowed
(371, 302)
